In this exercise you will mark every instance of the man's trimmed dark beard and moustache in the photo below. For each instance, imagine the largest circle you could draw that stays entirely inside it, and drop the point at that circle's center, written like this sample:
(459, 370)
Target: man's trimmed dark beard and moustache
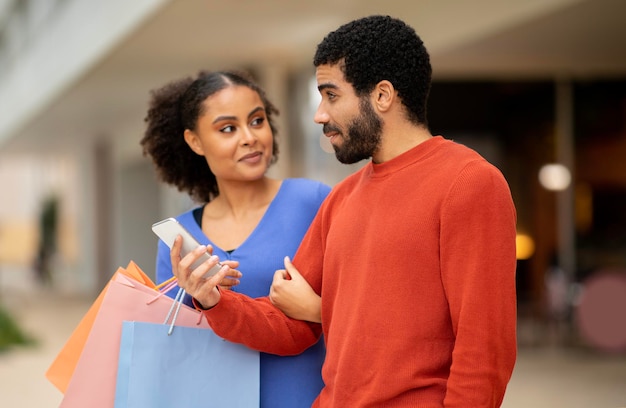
(363, 135)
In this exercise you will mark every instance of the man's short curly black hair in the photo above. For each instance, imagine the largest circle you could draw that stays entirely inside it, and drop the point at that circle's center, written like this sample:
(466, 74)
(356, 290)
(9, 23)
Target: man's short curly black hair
(377, 48)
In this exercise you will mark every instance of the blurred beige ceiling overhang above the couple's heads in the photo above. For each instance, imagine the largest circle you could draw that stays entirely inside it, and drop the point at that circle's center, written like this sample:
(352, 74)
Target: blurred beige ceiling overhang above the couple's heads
(481, 39)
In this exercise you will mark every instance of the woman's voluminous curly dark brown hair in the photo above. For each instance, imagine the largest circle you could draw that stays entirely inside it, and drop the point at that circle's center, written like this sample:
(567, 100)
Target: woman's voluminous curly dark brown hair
(178, 106)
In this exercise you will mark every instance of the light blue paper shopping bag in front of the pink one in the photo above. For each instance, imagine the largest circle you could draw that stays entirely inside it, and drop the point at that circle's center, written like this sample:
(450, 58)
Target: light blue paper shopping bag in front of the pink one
(192, 367)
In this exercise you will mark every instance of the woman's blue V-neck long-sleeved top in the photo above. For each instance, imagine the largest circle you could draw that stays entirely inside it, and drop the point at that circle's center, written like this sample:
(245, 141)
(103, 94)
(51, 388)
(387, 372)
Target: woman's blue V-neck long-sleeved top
(286, 382)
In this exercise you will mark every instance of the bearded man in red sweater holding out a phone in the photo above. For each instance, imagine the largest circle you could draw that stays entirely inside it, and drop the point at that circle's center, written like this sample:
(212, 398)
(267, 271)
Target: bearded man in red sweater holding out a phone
(413, 255)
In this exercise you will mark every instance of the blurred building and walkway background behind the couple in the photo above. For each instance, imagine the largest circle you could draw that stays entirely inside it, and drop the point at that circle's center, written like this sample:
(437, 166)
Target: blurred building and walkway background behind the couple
(538, 87)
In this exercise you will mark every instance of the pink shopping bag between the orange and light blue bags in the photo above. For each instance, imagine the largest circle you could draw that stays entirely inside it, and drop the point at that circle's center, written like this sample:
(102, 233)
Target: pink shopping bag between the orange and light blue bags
(93, 382)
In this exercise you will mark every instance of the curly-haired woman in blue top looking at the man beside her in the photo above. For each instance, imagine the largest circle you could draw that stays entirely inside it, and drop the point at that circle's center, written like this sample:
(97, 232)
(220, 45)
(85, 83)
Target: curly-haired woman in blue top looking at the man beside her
(213, 137)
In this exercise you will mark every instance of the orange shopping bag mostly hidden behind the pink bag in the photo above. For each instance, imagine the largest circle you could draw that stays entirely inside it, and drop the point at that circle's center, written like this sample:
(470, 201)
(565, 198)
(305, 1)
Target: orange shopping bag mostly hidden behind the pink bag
(62, 368)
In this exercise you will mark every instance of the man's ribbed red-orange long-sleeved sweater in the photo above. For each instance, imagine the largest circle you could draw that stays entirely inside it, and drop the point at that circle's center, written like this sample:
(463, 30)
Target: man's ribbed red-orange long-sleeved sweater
(415, 261)
